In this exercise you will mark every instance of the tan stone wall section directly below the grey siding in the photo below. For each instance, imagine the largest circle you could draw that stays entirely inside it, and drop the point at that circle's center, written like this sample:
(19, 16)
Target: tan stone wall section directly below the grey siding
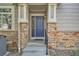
(67, 39)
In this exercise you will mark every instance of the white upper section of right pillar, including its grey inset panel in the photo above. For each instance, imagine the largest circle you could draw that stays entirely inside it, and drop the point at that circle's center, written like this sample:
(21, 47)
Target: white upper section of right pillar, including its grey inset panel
(52, 12)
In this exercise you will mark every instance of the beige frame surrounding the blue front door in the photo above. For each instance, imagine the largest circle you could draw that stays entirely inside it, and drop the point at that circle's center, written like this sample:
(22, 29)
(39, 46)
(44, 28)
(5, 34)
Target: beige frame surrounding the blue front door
(31, 27)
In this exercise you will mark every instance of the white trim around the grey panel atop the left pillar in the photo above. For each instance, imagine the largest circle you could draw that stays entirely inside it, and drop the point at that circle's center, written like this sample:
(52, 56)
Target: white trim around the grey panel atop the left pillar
(25, 11)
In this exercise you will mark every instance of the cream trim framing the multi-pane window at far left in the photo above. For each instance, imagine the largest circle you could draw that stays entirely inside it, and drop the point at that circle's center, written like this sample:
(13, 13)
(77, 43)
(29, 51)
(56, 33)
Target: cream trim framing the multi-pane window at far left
(13, 17)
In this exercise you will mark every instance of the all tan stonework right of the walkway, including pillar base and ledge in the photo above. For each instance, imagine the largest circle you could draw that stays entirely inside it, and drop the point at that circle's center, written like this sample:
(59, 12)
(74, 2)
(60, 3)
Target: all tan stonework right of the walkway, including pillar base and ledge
(60, 39)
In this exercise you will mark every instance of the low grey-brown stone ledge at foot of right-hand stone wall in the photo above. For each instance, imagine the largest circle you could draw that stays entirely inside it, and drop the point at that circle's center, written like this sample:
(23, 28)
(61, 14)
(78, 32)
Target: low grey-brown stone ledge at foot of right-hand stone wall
(61, 52)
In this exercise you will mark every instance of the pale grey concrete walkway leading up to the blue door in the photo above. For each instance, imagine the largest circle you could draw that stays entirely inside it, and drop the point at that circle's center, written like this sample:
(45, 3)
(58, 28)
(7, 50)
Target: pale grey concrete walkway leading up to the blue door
(35, 48)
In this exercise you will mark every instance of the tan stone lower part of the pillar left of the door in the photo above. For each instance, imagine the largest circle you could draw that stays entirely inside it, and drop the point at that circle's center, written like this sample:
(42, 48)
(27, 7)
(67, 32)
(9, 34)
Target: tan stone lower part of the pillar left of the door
(23, 34)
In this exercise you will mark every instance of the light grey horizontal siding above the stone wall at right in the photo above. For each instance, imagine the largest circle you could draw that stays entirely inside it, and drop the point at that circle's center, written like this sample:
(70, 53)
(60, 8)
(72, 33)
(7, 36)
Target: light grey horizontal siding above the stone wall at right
(68, 17)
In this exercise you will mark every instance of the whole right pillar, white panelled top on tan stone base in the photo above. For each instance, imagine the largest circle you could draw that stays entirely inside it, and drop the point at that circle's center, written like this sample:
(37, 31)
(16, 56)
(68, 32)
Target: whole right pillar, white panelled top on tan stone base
(52, 24)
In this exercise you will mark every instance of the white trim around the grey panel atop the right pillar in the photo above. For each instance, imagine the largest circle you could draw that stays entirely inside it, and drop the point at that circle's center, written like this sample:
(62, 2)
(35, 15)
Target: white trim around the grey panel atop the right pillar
(49, 11)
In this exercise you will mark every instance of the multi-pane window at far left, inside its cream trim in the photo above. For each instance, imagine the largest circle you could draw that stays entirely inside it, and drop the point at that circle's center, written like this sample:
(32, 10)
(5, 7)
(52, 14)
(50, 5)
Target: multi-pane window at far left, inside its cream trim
(6, 17)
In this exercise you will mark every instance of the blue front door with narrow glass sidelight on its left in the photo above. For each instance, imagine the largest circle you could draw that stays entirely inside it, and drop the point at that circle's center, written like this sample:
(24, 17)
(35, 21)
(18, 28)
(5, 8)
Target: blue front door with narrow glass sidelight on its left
(37, 27)
